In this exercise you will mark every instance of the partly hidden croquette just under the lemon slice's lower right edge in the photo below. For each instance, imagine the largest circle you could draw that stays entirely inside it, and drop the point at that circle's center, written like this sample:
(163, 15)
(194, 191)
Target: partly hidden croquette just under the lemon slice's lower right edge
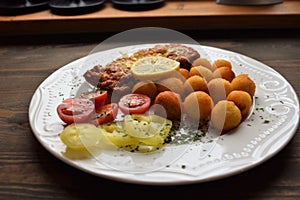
(170, 84)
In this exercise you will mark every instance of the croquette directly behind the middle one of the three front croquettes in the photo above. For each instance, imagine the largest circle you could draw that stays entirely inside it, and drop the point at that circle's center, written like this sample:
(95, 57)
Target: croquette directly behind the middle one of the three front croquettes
(195, 83)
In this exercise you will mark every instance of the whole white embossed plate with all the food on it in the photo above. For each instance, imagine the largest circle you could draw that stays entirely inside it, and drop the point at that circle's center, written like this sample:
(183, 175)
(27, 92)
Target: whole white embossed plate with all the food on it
(170, 141)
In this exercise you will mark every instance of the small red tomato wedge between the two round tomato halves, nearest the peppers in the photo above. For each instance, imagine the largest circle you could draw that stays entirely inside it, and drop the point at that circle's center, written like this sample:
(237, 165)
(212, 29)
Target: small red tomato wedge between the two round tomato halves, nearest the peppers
(105, 114)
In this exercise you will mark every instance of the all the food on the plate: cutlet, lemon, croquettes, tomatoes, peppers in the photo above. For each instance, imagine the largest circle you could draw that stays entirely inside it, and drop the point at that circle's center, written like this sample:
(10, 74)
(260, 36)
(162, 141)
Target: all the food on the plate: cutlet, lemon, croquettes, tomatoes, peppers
(139, 100)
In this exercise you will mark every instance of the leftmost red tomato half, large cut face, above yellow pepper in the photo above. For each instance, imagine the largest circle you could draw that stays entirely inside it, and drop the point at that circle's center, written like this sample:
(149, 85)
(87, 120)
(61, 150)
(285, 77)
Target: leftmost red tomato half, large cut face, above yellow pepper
(76, 110)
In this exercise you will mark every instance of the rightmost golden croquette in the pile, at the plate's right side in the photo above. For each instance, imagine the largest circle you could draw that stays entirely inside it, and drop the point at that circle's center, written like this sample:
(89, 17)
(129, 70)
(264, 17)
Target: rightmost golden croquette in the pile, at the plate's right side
(243, 82)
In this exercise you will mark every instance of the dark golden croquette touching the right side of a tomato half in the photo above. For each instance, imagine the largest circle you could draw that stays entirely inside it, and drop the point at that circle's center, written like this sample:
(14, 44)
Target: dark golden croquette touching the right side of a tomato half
(171, 103)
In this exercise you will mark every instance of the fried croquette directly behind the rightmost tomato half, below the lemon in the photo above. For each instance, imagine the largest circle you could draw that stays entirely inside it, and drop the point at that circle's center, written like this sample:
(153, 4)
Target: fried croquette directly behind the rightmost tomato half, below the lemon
(147, 88)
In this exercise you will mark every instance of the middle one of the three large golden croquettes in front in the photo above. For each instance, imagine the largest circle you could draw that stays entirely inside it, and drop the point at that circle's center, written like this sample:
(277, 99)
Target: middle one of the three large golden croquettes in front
(198, 105)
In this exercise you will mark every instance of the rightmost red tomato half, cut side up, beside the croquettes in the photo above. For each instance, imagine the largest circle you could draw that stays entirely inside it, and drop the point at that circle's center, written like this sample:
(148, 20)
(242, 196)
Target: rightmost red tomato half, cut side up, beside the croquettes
(134, 103)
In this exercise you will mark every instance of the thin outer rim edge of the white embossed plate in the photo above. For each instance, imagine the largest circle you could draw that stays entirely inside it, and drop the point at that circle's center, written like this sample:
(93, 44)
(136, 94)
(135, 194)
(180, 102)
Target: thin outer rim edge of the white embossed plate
(132, 178)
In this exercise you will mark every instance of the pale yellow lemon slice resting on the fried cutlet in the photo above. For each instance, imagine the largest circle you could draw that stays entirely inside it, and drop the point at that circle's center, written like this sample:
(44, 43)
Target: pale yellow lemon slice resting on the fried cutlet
(154, 68)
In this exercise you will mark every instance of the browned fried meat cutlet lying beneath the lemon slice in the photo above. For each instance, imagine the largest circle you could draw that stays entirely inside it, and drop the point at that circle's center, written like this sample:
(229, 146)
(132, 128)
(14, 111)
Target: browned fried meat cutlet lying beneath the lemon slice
(108, 77)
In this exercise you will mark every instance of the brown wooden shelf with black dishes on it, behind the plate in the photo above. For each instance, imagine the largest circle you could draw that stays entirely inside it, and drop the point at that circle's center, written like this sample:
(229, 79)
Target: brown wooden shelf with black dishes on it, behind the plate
(187, 15)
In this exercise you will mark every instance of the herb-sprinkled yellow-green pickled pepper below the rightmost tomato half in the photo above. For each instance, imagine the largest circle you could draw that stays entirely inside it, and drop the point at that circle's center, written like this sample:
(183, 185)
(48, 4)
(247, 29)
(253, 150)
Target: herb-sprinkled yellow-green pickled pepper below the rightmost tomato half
(154, 131)
